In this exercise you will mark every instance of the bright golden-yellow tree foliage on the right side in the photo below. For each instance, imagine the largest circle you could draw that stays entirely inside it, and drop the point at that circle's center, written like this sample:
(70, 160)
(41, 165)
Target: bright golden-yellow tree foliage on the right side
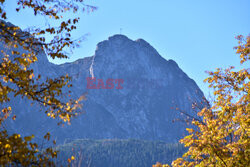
(222, 138)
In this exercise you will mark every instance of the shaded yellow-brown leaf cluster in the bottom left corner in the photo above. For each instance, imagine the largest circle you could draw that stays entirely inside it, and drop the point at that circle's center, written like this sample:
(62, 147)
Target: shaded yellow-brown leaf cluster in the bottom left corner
(14, 149)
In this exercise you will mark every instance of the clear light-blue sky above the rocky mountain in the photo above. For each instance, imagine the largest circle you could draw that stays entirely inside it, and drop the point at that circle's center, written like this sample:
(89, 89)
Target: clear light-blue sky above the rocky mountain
(197, 34)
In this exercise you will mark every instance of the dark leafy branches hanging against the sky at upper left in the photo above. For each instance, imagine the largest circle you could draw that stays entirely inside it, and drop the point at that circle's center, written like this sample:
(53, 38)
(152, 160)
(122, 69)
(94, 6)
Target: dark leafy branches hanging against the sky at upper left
(60, 33)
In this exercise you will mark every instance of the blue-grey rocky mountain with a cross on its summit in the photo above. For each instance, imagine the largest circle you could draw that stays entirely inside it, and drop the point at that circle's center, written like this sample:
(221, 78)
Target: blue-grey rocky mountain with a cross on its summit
(143, 106)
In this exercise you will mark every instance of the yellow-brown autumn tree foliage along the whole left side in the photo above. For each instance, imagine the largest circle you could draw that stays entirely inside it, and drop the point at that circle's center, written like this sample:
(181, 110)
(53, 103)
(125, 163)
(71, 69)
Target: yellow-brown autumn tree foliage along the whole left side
(17, 76)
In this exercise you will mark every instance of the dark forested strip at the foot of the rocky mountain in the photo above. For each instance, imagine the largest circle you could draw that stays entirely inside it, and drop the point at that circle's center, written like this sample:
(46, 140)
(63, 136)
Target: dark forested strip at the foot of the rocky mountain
(118, 152)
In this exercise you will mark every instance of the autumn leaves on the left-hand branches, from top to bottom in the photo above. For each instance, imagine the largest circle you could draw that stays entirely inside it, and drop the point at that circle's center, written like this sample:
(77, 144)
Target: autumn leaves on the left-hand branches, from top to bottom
(18, 73)
